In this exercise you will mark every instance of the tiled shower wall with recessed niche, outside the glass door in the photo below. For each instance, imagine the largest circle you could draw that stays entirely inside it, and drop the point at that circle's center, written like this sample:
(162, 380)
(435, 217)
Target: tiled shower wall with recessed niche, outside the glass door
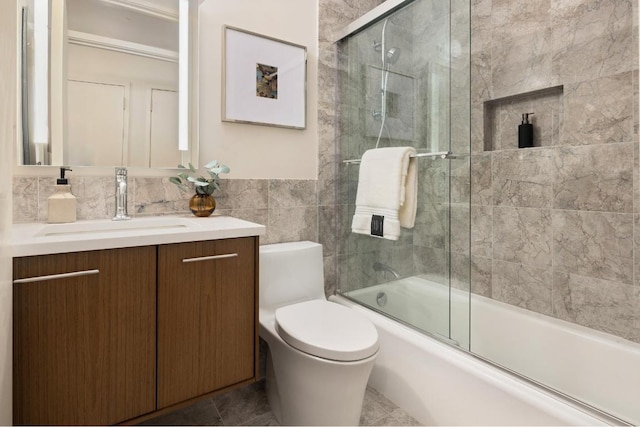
(556, 228)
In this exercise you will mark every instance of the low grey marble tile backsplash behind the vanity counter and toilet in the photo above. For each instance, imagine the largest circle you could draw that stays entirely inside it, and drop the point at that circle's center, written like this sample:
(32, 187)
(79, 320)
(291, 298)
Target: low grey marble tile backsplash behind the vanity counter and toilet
(287, 207)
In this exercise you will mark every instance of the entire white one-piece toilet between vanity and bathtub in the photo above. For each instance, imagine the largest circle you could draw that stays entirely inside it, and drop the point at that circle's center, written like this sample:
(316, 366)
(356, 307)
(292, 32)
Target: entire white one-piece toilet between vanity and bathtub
(320, 353)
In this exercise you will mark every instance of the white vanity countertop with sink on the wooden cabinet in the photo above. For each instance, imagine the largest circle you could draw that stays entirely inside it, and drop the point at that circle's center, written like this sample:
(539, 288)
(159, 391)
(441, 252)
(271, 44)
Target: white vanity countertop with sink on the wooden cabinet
(39, 239)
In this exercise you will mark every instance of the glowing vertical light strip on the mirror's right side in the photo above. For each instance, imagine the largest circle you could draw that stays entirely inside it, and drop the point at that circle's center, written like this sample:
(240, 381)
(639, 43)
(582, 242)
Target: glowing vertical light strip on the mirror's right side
(183, 76)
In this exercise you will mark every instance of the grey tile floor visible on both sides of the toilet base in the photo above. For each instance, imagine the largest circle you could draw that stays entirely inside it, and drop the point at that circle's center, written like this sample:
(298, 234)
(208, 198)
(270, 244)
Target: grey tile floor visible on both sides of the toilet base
(249, 406)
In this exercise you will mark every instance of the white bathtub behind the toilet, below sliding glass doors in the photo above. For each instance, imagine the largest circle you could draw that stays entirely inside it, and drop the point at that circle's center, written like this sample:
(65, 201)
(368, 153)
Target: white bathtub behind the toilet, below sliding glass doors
(440, 384)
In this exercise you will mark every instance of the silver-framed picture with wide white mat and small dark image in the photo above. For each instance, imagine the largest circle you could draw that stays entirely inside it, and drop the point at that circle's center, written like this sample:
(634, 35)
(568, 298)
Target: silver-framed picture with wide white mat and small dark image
(263, 80)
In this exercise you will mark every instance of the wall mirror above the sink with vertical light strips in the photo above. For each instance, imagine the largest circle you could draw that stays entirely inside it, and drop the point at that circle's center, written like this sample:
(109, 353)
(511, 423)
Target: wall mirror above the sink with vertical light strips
(106, 82)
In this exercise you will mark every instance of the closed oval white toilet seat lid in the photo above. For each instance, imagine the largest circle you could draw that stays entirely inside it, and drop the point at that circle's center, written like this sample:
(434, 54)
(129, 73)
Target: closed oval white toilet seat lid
(328, 330)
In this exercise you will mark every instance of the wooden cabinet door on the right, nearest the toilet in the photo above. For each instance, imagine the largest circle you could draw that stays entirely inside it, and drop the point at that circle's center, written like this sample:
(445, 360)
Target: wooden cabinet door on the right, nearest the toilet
(207, 330)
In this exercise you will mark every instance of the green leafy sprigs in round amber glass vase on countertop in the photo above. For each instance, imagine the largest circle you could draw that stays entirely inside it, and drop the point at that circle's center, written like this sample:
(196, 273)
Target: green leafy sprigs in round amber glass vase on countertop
(202, 203)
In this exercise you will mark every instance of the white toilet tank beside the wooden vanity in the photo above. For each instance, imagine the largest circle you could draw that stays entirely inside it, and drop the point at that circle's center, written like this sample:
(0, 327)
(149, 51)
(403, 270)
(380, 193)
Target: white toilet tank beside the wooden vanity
(289, 273)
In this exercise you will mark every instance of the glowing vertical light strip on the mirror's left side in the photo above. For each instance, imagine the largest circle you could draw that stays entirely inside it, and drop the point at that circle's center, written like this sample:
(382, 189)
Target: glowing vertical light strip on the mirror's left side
(41, 72)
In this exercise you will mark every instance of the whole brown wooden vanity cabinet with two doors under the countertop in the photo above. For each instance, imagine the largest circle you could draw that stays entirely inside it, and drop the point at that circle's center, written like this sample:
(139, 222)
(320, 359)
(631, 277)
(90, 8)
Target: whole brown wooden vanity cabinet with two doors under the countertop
(113, 335)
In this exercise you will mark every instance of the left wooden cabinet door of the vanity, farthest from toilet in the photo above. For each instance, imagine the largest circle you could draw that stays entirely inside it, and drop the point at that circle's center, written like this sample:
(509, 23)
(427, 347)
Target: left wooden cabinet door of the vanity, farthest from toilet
(84, 345)
